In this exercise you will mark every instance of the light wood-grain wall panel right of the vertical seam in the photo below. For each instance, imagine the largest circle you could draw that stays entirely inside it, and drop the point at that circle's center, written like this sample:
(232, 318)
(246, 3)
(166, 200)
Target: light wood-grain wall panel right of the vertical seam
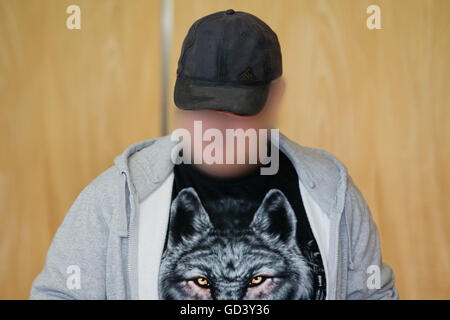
(377, 99)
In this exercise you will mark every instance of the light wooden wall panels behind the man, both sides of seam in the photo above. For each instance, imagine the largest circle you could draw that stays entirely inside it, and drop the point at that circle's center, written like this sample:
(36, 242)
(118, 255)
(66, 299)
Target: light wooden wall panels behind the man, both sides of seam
(70, 100)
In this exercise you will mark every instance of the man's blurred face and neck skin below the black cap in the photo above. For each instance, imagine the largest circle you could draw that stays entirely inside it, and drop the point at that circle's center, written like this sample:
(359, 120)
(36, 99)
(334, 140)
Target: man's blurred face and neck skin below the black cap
(222, 120)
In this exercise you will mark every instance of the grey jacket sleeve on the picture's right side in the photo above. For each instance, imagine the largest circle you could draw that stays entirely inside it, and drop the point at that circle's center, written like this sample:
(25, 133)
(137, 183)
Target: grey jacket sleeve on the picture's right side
(368, 277)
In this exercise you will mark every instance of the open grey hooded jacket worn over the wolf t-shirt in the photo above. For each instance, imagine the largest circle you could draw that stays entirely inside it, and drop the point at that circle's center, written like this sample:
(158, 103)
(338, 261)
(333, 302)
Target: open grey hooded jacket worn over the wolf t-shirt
(99, 233)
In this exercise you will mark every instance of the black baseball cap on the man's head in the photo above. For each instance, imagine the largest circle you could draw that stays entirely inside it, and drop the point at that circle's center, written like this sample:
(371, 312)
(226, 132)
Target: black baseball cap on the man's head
(227, 62)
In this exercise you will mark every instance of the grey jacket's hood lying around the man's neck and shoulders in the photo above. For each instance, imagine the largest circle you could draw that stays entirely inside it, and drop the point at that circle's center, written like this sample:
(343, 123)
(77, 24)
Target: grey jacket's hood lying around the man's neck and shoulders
(148, 164)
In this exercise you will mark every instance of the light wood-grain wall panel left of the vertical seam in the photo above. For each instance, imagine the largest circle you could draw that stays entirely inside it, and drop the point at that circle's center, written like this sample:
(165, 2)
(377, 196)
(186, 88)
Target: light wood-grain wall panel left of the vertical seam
(70, 101)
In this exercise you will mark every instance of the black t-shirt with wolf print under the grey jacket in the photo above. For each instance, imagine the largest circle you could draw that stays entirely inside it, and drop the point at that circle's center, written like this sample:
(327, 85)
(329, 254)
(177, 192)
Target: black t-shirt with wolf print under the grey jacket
(236, 238)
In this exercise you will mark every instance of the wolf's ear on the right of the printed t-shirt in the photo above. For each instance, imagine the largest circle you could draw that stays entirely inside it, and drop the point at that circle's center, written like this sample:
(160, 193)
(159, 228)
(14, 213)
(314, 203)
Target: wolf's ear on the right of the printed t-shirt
(275, 217)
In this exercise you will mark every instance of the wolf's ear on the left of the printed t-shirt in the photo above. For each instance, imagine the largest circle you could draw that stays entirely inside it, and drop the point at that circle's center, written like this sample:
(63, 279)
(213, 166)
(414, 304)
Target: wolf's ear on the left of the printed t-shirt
(187, 217)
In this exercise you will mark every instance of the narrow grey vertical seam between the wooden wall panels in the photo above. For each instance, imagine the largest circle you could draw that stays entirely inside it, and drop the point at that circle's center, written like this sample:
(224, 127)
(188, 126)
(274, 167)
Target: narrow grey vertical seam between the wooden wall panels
(166, 43)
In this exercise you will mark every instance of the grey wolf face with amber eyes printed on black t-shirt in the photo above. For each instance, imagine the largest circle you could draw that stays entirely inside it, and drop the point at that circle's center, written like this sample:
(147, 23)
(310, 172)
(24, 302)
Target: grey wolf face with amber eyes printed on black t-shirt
(259, 261)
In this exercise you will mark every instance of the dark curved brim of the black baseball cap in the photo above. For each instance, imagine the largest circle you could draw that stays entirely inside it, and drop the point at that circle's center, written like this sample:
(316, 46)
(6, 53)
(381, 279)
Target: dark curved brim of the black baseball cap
(239, 99)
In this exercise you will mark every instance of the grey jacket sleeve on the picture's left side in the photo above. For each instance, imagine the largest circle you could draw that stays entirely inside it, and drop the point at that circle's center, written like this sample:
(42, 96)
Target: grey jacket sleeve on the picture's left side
(76, 260)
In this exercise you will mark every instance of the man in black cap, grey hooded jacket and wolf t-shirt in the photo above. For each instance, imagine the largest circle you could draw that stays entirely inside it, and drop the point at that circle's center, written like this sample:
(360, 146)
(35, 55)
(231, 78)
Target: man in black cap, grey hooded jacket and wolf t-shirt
(176, 221)
